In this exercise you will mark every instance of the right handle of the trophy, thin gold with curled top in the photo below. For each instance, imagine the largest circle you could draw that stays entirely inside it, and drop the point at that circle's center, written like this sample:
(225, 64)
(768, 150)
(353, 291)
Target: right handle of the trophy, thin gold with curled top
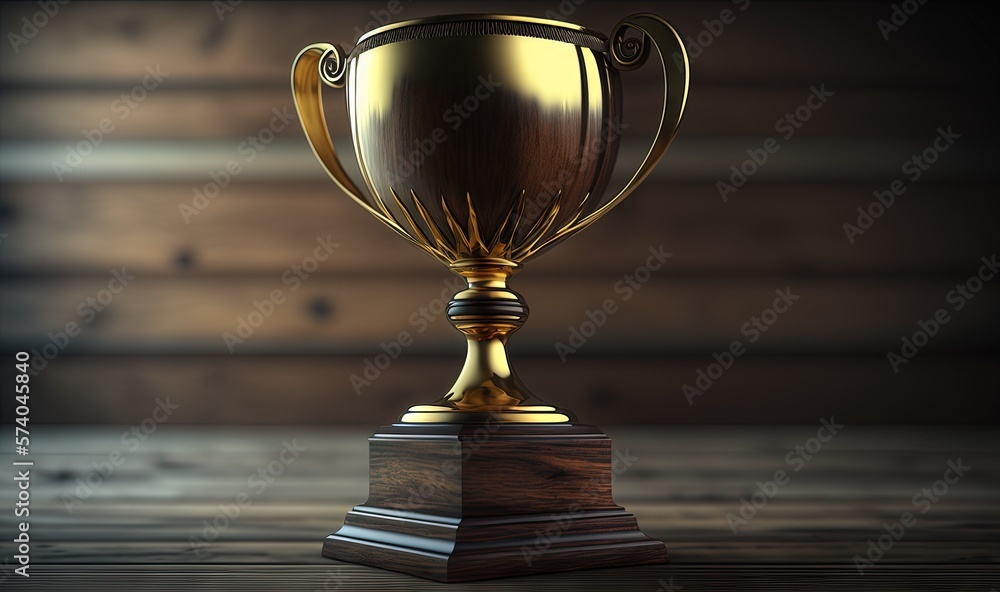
(629, 54)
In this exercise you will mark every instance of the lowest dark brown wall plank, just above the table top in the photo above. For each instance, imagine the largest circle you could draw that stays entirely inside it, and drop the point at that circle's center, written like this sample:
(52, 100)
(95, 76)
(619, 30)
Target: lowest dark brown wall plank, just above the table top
(600, 389)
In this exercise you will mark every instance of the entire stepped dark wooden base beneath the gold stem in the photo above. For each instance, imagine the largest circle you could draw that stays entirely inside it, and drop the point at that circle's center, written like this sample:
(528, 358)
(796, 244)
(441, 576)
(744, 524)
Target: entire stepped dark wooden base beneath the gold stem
(455, 503)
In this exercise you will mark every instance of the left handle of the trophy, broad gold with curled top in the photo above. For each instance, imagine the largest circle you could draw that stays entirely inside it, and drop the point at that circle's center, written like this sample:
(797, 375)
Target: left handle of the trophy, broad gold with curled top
(327, 63)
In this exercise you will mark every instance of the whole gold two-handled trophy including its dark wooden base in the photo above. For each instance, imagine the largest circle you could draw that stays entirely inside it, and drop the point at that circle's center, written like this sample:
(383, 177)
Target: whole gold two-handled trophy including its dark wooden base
(485, 140)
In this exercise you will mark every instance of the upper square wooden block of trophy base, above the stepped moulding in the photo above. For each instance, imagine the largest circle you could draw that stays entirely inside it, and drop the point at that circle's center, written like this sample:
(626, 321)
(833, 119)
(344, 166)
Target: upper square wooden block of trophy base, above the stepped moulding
(547, 469)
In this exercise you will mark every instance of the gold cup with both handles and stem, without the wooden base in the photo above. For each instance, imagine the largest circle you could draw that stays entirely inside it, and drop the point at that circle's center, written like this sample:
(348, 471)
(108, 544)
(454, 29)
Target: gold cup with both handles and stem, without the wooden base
(485, 140)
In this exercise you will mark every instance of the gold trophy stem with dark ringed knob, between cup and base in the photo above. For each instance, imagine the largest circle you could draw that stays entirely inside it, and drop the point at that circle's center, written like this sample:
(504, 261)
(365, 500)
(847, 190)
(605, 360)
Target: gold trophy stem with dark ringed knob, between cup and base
(487, 313)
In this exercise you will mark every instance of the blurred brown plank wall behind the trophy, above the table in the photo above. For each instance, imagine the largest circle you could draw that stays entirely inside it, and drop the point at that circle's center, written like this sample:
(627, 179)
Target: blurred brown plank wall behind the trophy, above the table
(157, 190)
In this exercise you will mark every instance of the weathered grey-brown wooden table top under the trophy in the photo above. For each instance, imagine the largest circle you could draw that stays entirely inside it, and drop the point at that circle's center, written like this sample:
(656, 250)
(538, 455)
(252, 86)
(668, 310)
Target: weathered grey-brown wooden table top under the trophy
(144, 525)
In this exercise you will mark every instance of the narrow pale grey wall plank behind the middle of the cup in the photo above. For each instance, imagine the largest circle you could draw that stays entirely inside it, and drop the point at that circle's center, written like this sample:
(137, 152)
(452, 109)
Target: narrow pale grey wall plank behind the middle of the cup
(290, 159)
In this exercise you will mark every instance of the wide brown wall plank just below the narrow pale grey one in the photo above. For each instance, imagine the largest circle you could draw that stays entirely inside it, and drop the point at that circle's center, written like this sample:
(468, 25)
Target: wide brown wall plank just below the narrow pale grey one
(263, 228)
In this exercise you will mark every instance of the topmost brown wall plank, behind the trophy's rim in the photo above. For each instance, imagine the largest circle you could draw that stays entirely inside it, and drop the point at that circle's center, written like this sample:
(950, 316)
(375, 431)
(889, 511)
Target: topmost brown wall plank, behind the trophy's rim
(257, 41)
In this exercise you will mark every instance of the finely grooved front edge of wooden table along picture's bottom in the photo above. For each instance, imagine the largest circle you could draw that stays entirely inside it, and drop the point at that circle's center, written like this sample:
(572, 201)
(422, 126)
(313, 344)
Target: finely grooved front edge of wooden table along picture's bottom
(779, 578)
